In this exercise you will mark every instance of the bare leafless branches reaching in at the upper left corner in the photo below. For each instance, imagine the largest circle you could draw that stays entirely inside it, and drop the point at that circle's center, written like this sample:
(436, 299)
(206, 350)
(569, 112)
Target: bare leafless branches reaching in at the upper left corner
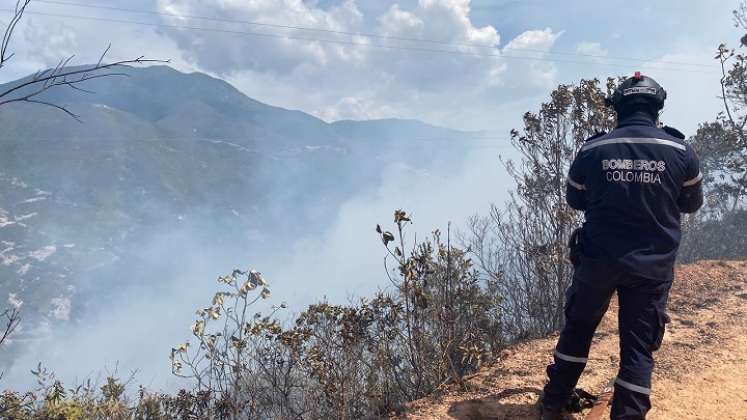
(62, 75)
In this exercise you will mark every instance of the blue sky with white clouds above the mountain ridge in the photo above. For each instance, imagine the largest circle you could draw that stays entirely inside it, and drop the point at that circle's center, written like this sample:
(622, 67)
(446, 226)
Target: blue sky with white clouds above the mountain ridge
(359, 81)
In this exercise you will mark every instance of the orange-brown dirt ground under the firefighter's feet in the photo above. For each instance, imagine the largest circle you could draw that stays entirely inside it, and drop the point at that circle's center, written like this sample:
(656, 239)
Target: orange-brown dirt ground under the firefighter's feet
(701, 368)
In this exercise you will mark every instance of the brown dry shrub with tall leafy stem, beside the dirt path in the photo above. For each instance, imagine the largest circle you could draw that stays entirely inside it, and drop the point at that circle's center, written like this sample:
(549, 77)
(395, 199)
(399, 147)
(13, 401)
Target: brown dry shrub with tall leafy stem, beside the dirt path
(449, 316)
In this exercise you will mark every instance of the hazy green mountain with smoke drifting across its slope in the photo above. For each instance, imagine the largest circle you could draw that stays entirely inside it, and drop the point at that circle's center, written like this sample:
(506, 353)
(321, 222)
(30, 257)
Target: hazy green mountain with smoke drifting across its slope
(160, 153)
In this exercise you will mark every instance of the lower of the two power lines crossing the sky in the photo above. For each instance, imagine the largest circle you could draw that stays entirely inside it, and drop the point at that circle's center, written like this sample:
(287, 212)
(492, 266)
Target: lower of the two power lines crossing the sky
(341, 42)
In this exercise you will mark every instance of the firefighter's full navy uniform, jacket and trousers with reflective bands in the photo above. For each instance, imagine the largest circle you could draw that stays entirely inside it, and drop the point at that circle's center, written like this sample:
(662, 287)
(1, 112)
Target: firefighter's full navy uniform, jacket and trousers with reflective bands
(632, 184)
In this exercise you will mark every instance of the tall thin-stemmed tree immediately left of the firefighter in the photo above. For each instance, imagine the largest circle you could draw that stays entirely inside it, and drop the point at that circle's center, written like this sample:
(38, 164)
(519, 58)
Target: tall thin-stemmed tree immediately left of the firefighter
(523, 247)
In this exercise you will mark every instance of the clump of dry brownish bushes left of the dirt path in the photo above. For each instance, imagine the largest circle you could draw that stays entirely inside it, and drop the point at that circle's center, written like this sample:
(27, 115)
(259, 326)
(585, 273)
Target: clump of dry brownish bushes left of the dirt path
(435, 324)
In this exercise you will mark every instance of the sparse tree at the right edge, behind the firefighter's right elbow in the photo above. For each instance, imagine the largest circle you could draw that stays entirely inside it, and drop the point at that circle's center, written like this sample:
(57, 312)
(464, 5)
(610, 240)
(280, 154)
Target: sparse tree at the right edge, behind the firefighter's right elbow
(717, 230)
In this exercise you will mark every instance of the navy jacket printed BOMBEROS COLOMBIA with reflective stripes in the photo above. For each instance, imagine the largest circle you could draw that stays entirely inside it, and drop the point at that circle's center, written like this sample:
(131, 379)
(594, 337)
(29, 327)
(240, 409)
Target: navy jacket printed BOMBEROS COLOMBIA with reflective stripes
(632, 184)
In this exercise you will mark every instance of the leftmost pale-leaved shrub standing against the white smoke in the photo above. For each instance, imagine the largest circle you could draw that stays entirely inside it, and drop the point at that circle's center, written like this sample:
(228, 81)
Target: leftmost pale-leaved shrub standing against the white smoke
(234, 361)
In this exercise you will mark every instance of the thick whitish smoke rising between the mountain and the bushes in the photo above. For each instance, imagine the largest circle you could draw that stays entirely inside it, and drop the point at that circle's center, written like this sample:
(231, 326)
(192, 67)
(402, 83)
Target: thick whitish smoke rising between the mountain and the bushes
(134, 329)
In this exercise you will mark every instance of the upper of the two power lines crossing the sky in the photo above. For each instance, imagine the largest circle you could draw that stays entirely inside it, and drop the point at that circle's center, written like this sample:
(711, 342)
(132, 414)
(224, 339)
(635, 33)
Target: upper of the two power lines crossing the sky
(355, 34)
